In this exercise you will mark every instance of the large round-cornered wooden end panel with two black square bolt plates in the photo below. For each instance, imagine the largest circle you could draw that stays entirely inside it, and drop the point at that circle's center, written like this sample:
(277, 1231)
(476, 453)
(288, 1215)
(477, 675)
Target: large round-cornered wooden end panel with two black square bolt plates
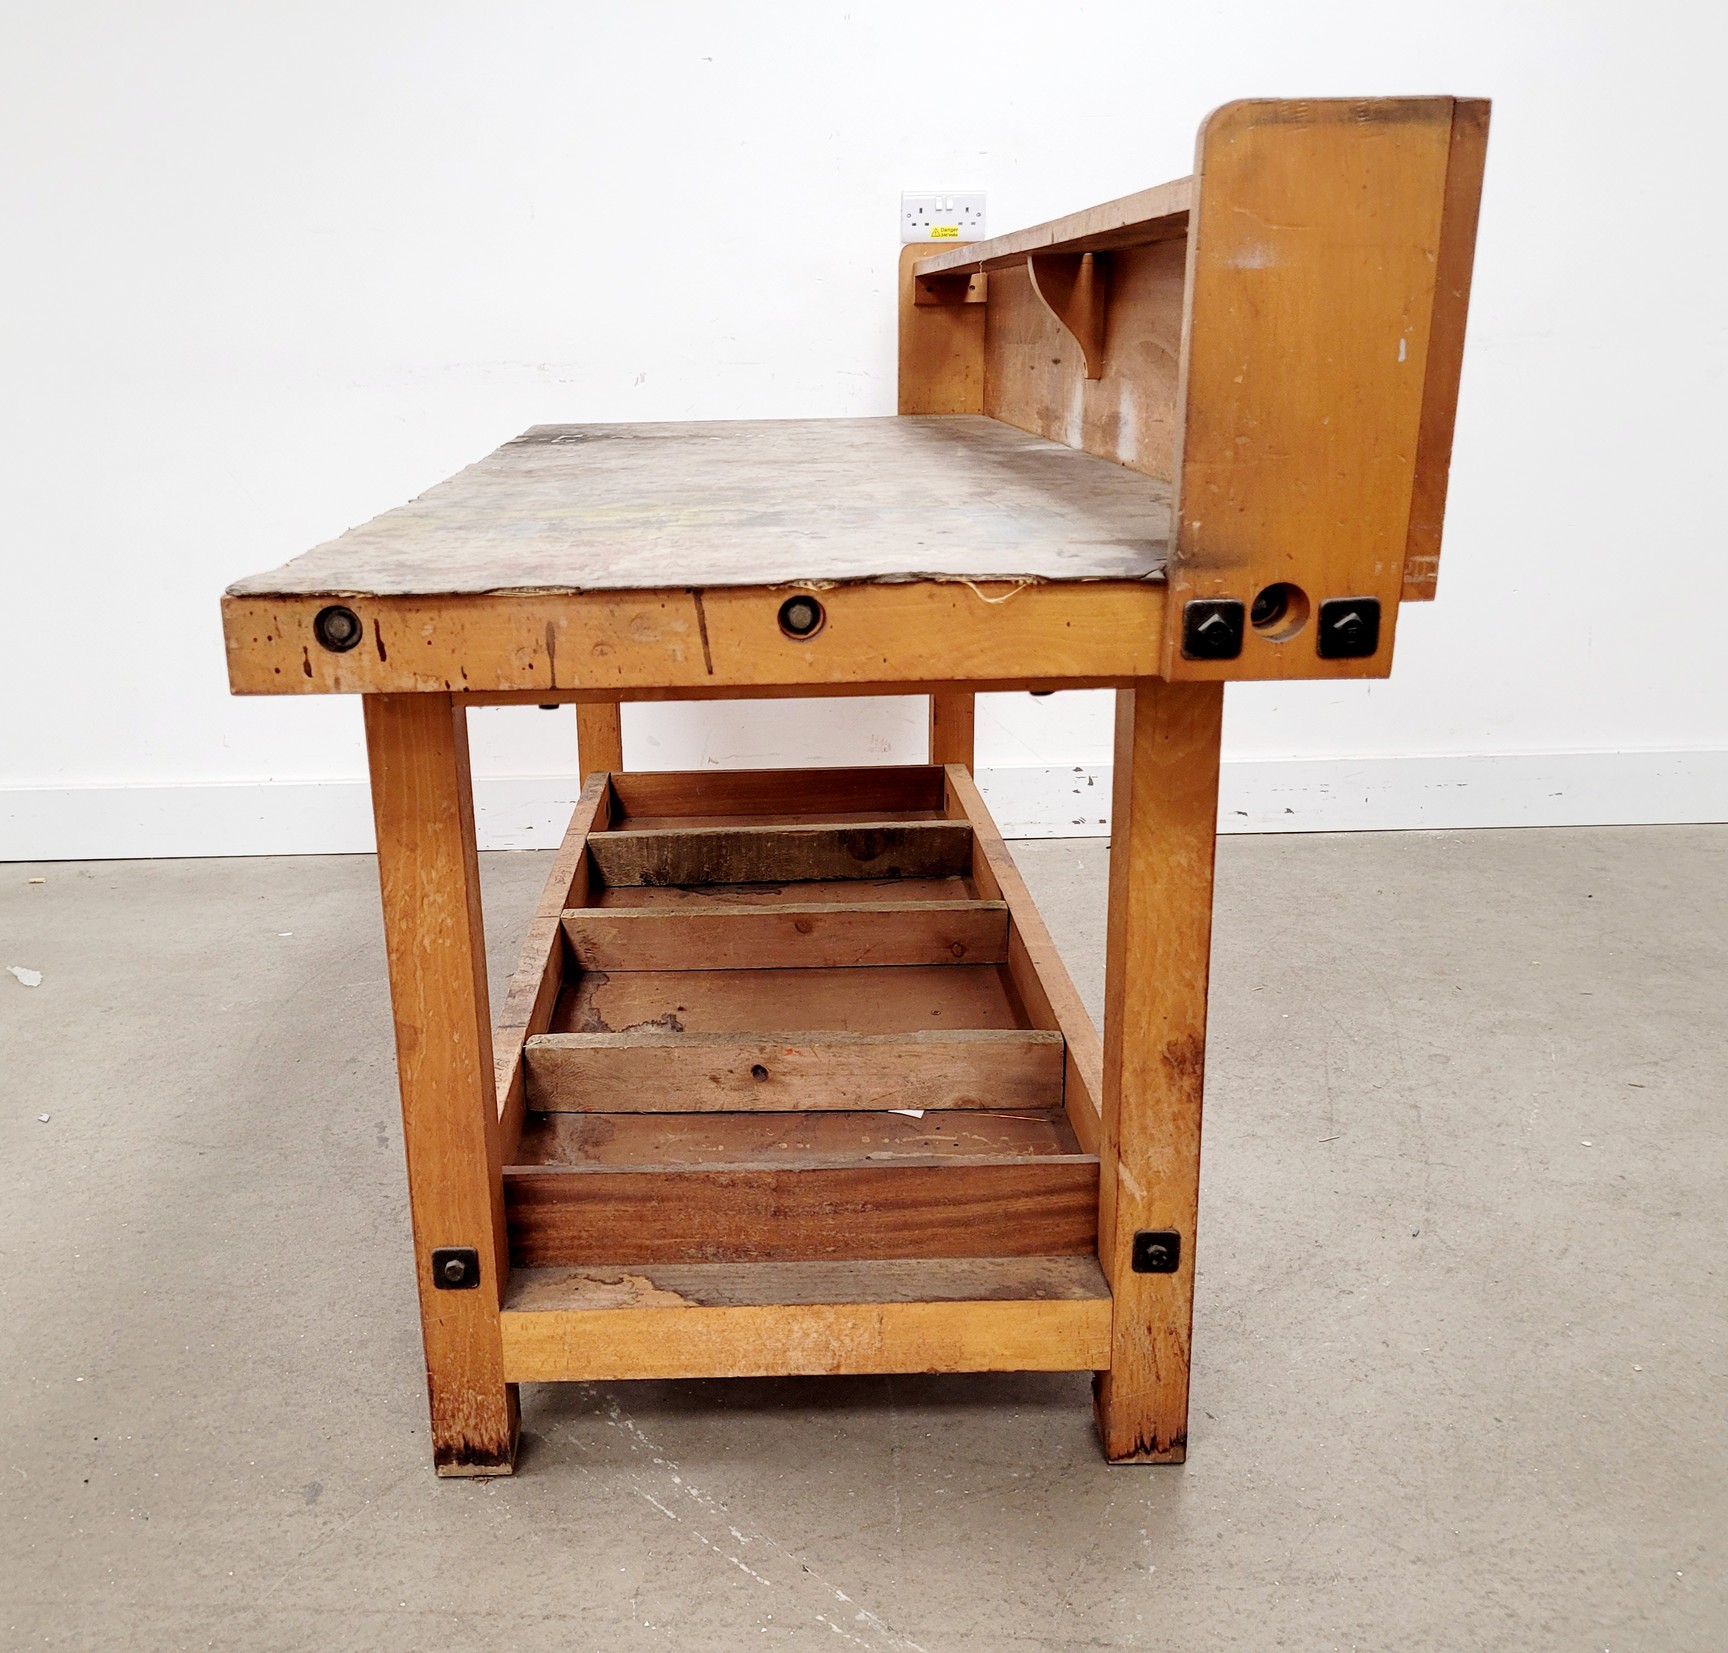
(1311, 294)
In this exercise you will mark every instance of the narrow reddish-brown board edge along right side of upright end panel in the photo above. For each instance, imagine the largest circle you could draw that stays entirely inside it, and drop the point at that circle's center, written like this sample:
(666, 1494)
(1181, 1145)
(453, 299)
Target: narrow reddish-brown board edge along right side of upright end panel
(1445, 346)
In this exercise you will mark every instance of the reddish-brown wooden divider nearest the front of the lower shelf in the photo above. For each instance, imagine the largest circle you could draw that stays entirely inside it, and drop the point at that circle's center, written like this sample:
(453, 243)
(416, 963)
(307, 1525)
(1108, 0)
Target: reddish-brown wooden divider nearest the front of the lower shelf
(943, 1208)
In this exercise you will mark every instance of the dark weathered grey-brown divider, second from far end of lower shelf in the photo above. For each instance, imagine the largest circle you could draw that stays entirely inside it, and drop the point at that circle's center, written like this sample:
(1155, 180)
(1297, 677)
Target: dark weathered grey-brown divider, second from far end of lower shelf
(782, 854)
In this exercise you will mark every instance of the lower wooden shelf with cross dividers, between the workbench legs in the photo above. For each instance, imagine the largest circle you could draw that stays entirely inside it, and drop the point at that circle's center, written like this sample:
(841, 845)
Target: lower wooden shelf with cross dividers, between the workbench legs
(794, 1082)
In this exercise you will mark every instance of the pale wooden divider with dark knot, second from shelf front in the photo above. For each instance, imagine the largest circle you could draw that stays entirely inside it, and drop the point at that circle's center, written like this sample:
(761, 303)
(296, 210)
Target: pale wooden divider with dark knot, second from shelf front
(668, 1073)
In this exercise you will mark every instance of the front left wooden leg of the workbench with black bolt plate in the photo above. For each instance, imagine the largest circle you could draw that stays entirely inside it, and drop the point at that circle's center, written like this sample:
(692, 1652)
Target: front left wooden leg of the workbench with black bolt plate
(429, 875)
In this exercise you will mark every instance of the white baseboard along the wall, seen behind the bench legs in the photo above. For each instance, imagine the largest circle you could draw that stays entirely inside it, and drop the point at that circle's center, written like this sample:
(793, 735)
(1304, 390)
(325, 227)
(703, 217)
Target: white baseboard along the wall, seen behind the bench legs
(1259, 795)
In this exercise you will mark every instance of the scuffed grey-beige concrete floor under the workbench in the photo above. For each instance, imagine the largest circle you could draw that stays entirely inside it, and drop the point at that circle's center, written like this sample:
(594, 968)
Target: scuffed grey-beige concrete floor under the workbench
(1459, 1353)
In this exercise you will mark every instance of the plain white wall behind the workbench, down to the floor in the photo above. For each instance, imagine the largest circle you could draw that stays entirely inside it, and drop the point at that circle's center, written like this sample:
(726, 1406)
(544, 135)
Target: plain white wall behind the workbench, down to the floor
(276, 267)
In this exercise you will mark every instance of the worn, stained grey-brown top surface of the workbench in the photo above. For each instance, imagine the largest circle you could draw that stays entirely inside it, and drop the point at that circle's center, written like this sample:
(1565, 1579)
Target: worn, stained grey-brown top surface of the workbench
(644, 507)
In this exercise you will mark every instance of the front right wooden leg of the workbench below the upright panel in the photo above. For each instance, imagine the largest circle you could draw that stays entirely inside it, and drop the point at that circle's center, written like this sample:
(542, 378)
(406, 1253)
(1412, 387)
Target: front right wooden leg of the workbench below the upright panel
(1155, 1046)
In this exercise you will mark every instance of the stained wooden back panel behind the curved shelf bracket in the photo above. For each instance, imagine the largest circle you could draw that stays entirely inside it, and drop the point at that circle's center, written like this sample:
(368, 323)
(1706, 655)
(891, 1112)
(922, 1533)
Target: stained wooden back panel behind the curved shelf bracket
(1036, 374)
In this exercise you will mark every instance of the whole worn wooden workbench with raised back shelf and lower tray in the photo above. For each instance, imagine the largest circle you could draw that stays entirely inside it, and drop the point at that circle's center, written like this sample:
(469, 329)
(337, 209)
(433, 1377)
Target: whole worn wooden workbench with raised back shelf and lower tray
(1195, 436)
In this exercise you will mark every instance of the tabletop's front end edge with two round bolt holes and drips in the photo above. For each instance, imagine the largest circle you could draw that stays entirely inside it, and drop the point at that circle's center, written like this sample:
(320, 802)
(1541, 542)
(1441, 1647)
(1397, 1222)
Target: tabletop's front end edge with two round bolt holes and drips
(708, 645)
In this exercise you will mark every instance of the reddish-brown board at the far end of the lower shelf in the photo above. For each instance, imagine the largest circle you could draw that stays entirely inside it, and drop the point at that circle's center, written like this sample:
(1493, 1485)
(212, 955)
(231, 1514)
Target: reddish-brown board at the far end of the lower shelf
(778, 792)
